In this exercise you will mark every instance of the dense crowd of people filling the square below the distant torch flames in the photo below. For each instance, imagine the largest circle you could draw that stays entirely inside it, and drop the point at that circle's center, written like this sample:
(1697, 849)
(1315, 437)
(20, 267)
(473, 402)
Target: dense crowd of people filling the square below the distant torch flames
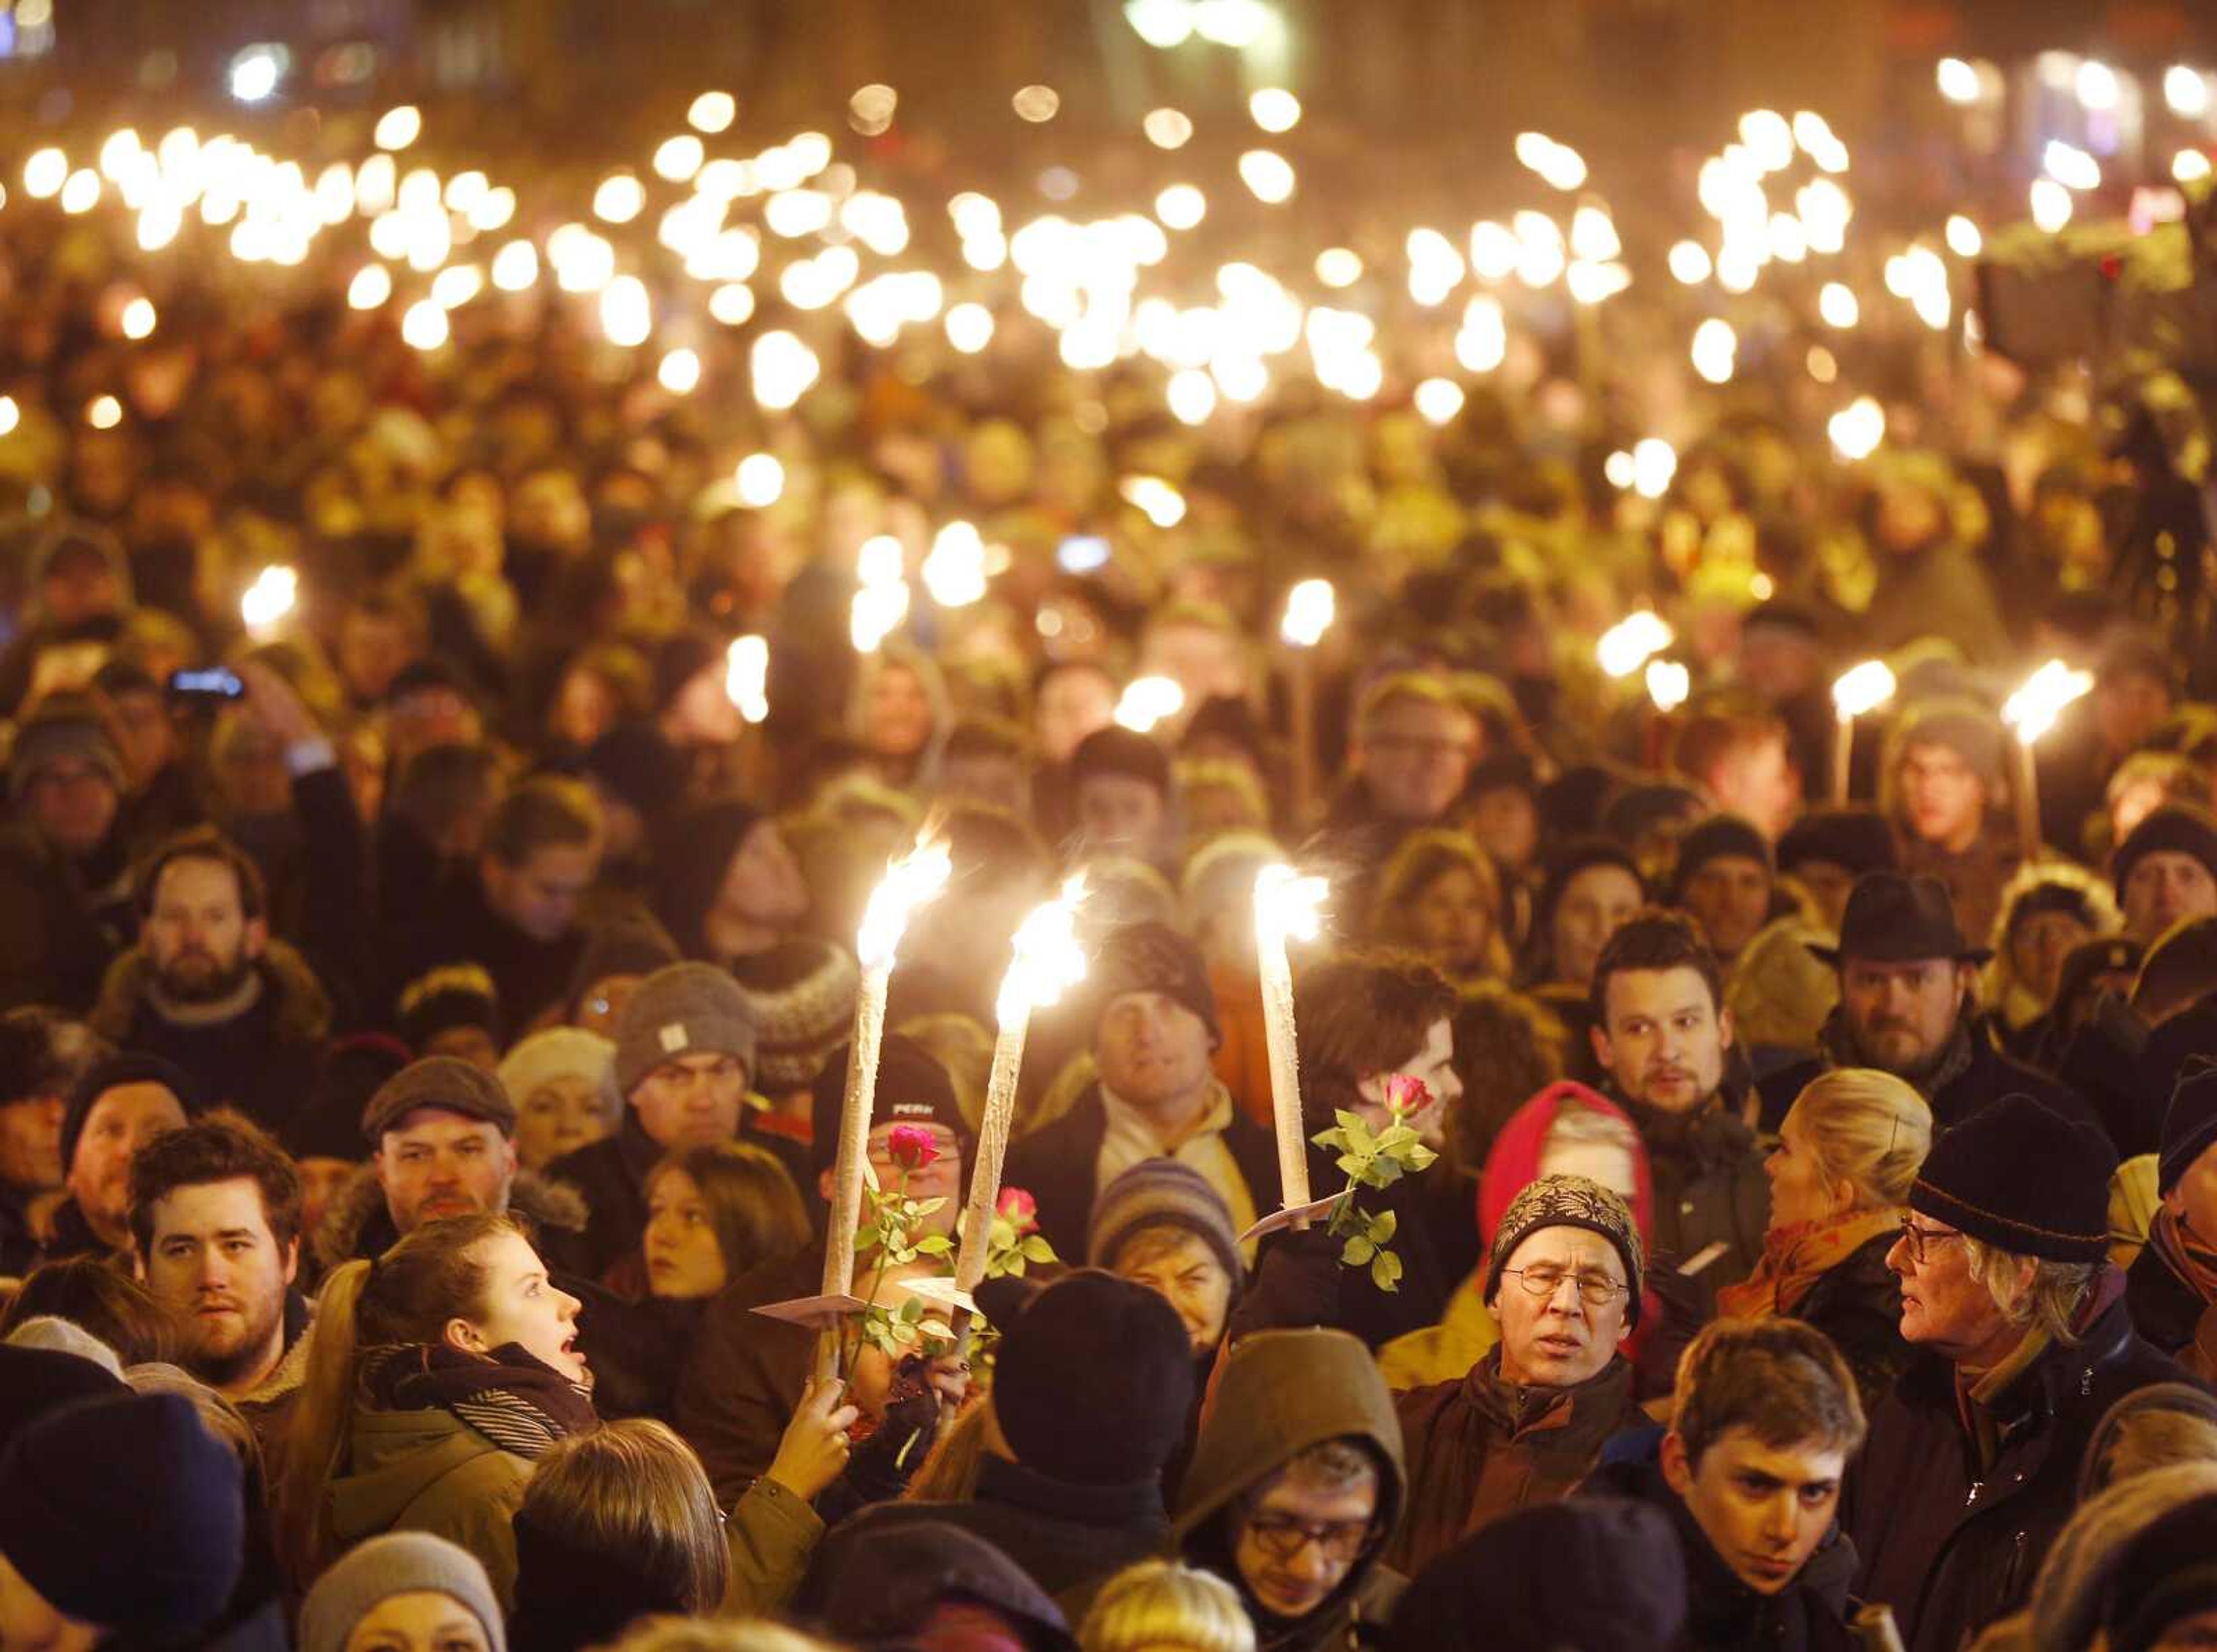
(427, 1012)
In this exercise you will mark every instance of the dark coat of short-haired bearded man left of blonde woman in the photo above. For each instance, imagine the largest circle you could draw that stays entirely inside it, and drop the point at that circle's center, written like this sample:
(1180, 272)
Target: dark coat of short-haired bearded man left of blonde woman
(1710, 1190)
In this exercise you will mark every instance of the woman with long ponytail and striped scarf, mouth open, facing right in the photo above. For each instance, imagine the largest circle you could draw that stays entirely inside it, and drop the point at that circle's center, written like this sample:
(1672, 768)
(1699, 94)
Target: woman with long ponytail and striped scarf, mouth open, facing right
(438, 1374)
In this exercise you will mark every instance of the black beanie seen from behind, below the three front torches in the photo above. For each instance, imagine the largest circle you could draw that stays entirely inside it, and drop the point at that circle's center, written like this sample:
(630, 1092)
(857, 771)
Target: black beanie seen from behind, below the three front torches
(1092, 1380)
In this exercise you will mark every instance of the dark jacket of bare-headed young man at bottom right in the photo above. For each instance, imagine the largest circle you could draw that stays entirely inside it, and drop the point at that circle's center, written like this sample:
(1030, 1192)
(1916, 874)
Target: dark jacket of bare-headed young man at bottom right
(1724, 1615)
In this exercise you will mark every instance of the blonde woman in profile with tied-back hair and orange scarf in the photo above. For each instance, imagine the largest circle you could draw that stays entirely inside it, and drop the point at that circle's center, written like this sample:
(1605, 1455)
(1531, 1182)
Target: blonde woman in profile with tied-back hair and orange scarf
(1848, 1152)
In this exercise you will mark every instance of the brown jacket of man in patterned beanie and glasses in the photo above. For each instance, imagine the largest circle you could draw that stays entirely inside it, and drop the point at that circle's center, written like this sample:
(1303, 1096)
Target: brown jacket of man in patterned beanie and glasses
(1482, 1447)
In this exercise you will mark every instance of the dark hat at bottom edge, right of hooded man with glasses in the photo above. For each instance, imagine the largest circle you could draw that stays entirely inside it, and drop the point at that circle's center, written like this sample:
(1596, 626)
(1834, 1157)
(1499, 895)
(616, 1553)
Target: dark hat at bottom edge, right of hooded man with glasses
(1593, 1573)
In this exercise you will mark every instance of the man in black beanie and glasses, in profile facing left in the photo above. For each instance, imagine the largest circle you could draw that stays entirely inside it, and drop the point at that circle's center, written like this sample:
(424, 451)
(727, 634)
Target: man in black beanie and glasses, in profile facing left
(2023, 1345)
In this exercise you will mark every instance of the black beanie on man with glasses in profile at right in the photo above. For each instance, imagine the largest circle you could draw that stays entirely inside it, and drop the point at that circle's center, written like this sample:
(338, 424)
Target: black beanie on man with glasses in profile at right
(2023, 1179)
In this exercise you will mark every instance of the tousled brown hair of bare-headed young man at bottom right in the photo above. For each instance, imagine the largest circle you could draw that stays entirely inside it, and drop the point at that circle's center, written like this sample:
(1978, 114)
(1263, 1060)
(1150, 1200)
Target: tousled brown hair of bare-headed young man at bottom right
(1781, 1380)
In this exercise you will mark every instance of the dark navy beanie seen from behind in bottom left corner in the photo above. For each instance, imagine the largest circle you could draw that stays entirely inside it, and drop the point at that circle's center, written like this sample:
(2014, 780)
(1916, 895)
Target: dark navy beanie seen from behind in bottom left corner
(141, 1485)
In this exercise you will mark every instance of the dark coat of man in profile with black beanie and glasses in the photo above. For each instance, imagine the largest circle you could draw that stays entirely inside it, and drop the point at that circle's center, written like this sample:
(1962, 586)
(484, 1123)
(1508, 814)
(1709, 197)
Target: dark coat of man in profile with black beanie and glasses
(1950, 1547)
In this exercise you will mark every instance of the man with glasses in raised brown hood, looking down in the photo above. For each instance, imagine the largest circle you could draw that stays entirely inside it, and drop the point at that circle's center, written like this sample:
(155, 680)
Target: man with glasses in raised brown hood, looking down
(1296, 1487)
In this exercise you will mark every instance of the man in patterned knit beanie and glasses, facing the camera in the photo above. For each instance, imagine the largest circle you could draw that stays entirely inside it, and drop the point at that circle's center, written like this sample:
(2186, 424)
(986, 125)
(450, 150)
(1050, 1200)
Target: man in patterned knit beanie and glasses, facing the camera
(1531, 1418)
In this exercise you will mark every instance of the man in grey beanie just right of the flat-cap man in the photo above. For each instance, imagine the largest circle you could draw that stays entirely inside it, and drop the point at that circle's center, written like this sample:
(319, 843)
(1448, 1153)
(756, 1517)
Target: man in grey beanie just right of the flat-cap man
(684, 1065)
